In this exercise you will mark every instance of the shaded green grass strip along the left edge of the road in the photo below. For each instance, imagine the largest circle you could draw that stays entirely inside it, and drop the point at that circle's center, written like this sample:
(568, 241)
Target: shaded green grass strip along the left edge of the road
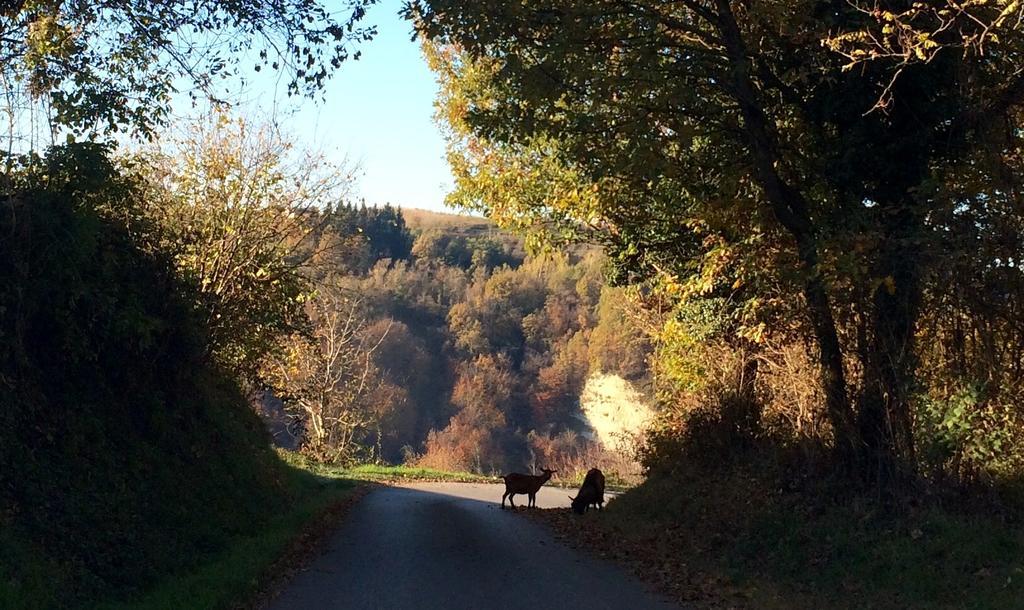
(216, 567)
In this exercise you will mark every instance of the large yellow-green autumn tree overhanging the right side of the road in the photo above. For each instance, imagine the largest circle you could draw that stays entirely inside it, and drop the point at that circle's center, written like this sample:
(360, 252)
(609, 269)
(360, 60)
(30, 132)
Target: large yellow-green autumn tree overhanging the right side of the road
(704, 133)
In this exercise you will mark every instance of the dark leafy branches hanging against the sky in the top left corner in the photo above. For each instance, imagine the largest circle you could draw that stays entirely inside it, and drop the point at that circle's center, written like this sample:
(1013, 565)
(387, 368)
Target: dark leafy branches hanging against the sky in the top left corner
(102, 67)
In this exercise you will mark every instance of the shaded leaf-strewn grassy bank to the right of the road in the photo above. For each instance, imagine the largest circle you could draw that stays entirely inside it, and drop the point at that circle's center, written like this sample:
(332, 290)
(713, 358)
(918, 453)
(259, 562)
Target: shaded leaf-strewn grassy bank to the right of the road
(734, 540)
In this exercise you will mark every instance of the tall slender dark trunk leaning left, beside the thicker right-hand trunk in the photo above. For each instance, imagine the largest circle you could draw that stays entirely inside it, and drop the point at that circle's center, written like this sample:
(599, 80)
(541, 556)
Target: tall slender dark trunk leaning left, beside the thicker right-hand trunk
(793, 212)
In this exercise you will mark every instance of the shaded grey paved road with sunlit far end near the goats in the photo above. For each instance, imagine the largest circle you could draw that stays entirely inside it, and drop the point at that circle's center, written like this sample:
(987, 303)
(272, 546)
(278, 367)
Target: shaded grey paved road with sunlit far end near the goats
(449, 546)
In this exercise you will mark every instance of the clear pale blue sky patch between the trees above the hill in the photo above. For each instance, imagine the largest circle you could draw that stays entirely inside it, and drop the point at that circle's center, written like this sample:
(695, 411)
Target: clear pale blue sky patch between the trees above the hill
(379, 113)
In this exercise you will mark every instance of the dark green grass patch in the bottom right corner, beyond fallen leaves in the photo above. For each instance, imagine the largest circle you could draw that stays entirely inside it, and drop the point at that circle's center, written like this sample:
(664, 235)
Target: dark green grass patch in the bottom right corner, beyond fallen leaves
(930, 558)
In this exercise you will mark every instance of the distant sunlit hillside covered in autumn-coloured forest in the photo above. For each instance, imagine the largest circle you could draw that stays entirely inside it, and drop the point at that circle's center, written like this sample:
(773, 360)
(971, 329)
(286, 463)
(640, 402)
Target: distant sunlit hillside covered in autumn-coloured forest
(470, 355)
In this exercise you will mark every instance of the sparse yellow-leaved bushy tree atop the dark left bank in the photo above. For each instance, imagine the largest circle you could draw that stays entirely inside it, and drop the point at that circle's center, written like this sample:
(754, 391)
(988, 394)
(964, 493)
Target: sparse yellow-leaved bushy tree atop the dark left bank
(235, 210)
